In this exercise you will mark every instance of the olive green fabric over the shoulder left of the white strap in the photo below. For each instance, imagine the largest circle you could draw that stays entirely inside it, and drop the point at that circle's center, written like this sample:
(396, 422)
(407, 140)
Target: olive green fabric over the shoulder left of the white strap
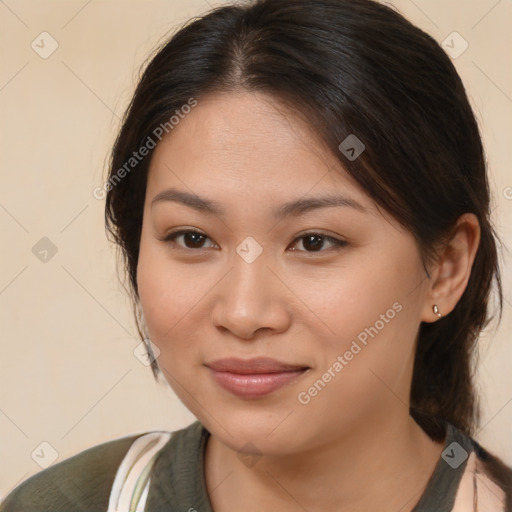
(79, 483)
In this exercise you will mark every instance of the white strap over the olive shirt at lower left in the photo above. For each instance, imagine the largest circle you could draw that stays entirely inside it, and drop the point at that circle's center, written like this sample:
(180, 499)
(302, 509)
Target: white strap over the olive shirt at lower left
(133, 471)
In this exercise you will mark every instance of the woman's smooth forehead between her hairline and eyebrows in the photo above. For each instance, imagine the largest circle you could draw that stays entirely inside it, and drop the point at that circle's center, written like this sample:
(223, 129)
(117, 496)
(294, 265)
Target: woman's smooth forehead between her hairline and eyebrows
(250, 144)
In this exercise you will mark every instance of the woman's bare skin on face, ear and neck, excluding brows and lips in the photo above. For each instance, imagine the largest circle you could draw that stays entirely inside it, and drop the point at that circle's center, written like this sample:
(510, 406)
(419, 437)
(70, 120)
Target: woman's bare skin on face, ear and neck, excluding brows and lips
(354, 446)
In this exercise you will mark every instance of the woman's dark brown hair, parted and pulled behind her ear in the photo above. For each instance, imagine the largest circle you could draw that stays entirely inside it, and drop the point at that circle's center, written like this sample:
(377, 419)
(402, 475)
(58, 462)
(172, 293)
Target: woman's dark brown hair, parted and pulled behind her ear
(347, 67)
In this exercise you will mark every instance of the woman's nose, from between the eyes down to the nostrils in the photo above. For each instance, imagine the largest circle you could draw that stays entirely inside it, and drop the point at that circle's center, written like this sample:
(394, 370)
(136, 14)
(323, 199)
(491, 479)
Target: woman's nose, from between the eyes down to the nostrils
(251, 300)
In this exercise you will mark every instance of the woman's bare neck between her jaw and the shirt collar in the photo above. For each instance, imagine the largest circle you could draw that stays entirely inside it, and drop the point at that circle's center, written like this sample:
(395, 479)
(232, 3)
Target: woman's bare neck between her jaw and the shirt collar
(384, 464)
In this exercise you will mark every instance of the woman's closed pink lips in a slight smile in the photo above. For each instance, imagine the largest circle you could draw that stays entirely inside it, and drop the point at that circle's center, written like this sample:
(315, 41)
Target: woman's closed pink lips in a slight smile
(254, 378)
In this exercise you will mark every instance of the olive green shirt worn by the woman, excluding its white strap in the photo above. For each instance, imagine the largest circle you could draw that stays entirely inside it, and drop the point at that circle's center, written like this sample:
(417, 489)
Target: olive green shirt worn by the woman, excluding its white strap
(82, 483)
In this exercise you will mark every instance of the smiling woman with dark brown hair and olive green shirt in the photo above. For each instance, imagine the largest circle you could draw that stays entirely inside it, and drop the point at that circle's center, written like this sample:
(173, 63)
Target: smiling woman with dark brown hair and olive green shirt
(300, 194)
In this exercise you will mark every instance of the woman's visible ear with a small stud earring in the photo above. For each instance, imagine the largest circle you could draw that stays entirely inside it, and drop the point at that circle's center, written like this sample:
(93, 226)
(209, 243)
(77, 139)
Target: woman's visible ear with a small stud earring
(450, 274)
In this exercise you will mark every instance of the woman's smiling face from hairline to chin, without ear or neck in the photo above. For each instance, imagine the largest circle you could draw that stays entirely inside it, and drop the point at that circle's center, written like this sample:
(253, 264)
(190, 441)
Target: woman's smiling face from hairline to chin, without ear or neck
(328, 294)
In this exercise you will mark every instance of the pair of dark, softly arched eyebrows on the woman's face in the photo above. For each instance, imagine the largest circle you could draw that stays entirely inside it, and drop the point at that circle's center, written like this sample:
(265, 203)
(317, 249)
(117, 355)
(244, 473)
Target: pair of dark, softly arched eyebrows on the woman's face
(295, 207)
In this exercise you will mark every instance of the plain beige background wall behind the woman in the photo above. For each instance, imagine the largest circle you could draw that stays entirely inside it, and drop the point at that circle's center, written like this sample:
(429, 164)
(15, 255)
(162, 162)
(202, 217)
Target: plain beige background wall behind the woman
(68, 373)
